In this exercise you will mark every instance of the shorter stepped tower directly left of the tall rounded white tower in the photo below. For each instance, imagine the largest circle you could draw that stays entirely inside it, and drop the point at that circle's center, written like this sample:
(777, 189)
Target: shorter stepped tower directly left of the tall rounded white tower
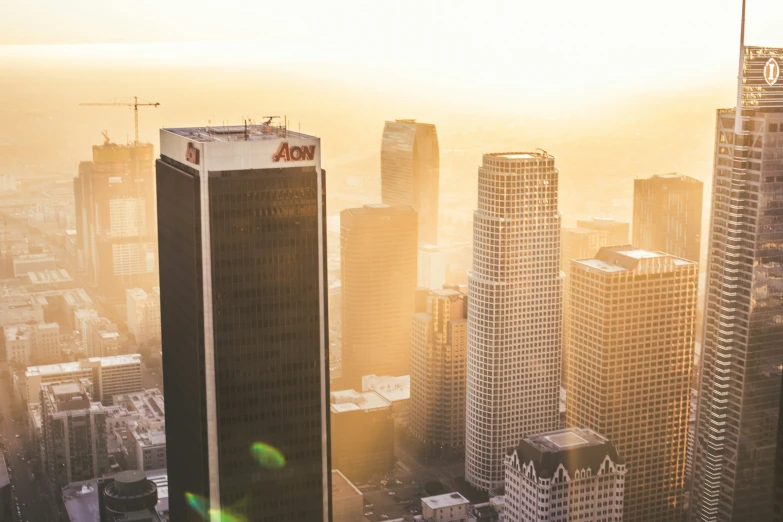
(439, 341)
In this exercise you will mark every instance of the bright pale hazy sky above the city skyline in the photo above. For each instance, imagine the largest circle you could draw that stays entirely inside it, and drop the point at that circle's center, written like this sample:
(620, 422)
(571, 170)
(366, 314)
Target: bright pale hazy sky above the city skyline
(564, 45)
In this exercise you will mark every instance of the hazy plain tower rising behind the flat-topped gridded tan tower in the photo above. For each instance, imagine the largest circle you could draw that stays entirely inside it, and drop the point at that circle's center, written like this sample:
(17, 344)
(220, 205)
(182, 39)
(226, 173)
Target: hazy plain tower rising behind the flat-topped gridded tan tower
(667, 214)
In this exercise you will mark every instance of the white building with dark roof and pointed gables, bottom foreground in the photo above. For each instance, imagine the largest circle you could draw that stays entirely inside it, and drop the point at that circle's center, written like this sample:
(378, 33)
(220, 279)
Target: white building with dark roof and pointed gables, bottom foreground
(562, 476)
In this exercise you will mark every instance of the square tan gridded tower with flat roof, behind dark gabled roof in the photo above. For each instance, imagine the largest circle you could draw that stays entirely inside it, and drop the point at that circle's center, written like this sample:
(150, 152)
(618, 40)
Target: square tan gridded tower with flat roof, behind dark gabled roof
(633, 314)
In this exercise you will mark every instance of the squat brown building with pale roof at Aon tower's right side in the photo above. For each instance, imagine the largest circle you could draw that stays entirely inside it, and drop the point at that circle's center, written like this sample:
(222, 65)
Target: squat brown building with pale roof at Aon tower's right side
(362, 434)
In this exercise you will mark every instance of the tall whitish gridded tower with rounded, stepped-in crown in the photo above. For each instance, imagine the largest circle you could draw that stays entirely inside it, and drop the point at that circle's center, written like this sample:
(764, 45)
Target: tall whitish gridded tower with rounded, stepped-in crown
(514, 311)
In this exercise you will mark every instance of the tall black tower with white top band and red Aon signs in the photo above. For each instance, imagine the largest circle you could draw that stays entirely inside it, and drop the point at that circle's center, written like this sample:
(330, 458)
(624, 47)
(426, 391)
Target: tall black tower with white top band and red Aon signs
(243, 321)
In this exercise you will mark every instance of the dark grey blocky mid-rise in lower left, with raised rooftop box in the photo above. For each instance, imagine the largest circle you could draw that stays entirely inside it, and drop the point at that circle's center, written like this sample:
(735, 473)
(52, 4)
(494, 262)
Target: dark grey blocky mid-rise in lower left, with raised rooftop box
(74, 433)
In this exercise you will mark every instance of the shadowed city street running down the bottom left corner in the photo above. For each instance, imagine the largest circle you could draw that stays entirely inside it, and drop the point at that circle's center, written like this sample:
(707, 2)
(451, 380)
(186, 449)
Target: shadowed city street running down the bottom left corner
(30, 491)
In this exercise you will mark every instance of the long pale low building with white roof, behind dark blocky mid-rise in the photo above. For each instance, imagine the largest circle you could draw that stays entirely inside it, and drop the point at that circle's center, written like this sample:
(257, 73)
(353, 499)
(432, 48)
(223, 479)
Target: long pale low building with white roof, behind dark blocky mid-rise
(110, 376)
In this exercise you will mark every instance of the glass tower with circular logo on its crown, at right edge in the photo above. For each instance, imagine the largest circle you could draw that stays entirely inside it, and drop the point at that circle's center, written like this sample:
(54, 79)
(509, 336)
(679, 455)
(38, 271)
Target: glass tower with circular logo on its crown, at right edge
(742, 346)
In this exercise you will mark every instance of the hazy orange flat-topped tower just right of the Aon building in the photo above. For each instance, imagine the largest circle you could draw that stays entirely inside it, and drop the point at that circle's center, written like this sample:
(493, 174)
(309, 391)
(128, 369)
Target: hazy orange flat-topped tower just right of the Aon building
(378, 272)
